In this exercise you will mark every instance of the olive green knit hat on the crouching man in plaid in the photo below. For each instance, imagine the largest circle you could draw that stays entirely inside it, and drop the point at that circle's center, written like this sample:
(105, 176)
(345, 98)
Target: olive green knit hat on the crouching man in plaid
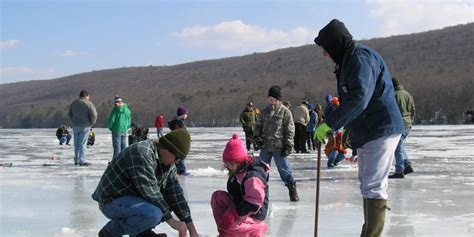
(177, 142)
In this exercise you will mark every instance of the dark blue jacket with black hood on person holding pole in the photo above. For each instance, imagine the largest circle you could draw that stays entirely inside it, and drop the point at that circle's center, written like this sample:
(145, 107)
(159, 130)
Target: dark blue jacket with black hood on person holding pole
(368, 108)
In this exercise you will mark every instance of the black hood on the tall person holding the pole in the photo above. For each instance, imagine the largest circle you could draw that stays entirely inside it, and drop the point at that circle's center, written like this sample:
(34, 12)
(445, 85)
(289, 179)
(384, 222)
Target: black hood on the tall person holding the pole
(334, 38)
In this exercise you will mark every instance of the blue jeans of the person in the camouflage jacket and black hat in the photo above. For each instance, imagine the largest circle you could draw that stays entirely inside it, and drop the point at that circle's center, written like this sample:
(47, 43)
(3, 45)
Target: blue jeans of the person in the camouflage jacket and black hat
(282, 164)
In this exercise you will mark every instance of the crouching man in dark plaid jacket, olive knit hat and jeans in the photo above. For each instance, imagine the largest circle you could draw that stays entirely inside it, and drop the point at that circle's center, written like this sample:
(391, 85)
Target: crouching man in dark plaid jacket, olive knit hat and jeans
(139, 189)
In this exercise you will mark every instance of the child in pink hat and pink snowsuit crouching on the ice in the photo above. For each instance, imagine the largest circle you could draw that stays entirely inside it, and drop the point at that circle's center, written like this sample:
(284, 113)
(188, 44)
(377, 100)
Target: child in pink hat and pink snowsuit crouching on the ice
(241, 210)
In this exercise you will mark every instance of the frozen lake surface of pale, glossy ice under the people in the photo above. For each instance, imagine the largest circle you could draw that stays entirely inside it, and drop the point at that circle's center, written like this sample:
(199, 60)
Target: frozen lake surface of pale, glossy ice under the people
(44, 194)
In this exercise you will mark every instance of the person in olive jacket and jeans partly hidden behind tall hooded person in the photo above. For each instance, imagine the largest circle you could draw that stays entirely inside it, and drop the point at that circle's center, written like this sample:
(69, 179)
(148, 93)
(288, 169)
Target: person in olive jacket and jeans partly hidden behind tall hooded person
(407, 109)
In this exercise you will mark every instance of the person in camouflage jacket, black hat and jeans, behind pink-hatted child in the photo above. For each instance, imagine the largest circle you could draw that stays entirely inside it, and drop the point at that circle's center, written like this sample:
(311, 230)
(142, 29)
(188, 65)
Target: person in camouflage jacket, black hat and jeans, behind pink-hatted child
(274, 133)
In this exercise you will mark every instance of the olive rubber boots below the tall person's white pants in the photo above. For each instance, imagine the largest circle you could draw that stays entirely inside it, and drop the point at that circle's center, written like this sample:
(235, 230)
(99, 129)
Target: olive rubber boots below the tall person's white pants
(375, 219)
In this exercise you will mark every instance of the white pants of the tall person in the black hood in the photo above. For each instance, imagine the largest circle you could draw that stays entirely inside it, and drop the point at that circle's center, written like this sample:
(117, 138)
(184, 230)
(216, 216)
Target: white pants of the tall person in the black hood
(375, 160)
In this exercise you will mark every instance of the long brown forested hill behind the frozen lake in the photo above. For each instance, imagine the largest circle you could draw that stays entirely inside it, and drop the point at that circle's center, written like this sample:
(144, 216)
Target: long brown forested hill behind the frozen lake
(437, 67)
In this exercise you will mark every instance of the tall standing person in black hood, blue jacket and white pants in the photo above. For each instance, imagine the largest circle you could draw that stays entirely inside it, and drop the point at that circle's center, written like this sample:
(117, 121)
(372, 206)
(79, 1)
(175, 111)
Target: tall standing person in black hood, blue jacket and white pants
(369, 112)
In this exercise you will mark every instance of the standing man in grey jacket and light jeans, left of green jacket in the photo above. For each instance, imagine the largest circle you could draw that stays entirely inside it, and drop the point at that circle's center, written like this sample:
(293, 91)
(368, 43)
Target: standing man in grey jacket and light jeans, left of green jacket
(83, 115)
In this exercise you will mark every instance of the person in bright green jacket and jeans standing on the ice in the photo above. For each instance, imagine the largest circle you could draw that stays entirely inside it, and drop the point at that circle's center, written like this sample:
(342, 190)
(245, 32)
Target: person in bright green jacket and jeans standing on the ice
(119, 122)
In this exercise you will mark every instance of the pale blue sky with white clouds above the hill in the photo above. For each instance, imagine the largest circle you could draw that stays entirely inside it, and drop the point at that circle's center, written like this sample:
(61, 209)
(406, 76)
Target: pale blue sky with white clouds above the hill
(42, 39)
